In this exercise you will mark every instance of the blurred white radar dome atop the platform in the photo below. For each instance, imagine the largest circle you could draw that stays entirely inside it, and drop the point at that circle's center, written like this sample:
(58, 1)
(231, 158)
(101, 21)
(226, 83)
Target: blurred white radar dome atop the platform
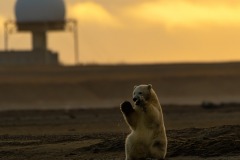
(40, 10)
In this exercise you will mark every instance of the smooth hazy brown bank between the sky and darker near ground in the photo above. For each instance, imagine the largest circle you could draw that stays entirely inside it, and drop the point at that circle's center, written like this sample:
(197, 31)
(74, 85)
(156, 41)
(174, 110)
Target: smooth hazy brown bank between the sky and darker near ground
(107, 86)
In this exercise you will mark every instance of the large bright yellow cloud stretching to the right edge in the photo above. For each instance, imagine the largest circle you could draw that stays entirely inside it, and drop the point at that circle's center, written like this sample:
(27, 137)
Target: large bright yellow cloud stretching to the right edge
(174, 13)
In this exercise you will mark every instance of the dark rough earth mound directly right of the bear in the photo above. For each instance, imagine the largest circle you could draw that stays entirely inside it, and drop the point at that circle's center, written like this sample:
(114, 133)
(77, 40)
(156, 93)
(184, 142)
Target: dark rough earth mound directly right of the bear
(207, 142)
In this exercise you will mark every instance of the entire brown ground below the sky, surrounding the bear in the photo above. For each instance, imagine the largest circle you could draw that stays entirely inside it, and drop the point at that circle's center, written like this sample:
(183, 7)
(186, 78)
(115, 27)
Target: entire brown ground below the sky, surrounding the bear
(69, 113)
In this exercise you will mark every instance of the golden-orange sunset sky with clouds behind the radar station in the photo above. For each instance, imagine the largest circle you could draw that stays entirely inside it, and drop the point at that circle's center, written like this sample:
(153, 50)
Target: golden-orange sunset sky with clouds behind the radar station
(143, 31)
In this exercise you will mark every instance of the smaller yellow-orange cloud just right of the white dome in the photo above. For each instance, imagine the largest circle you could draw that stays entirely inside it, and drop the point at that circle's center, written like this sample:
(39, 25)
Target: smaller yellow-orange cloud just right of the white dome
(93, 13)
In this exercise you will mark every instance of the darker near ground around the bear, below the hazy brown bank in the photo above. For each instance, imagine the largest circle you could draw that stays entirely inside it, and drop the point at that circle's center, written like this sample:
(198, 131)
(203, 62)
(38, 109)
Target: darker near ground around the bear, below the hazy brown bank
(100, 133)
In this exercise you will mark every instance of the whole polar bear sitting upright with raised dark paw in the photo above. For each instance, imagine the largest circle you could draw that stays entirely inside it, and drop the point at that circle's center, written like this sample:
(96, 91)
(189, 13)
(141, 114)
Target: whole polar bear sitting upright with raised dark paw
(147, 139)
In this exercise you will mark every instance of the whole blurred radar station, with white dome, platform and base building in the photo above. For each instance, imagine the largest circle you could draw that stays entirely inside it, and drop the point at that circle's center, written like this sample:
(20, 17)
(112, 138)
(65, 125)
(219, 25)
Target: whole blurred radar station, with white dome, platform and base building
(37, 17)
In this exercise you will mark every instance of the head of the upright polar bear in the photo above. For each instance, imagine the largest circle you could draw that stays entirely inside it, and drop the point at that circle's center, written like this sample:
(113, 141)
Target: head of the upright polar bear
(142, 94)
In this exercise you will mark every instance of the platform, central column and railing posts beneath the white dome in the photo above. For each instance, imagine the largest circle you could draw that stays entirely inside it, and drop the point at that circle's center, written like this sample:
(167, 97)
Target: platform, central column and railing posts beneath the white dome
(39, 33)
